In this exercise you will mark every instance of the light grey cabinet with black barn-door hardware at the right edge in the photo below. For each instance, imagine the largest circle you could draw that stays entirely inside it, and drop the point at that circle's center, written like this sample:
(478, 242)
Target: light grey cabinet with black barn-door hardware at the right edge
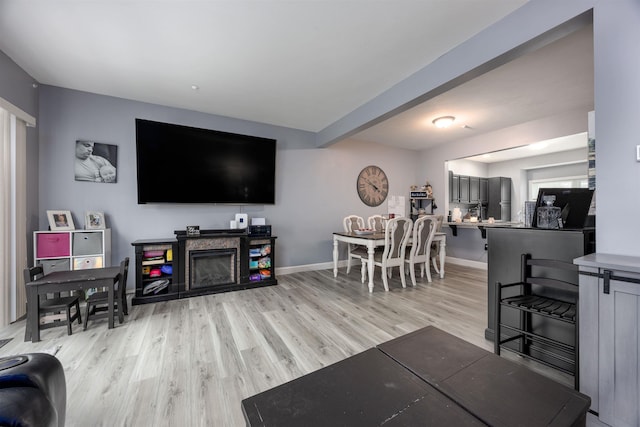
(609, 308)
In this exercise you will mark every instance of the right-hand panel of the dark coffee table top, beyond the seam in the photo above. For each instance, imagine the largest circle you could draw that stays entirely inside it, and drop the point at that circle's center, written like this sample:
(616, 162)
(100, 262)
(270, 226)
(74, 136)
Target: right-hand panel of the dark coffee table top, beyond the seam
(496, 390)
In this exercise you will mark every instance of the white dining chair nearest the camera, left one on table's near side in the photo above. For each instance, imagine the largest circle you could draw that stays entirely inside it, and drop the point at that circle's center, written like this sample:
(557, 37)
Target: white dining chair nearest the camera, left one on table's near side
(396, 237)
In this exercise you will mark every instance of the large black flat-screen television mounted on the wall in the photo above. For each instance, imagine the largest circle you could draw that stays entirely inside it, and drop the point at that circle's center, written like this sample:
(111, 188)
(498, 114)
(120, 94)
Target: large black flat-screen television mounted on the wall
(182, 164)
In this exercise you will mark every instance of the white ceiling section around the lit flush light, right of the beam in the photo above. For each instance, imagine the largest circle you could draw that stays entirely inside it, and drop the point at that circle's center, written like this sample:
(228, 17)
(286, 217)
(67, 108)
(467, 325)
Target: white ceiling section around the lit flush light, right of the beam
(553, 80)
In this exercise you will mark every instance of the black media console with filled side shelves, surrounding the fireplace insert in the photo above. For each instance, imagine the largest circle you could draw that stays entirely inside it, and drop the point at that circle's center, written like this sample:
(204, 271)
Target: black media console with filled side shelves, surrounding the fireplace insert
(162, 272)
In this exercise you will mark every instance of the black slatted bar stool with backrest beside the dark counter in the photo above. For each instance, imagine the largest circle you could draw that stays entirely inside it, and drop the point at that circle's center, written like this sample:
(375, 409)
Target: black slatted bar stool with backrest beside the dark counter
(546, 295)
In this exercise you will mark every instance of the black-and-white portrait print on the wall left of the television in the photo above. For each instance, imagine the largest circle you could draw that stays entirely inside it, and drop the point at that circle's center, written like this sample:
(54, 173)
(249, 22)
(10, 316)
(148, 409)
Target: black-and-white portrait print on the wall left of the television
(96, 162)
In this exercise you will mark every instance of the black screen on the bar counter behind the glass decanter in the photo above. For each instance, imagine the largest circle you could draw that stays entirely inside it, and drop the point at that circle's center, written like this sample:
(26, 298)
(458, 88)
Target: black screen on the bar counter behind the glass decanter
(574, 204)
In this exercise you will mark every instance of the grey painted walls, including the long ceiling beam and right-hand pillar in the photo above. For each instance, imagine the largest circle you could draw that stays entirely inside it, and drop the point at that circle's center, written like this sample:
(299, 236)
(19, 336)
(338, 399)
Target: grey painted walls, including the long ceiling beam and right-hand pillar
(315, 187)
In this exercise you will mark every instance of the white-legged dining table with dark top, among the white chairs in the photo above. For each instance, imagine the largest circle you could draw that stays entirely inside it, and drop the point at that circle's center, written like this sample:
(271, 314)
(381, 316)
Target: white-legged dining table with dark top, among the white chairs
(374, 240)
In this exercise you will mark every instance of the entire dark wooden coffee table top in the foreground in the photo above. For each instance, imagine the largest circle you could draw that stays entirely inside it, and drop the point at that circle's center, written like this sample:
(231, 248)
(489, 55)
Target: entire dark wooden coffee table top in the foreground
(427, 377)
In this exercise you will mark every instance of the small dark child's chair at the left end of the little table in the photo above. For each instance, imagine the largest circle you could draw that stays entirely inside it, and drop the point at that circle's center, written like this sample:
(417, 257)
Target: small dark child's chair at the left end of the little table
(56, 306)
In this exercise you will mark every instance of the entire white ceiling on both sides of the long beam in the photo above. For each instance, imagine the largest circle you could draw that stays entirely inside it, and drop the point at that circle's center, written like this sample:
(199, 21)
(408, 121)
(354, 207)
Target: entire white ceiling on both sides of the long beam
(302, 63)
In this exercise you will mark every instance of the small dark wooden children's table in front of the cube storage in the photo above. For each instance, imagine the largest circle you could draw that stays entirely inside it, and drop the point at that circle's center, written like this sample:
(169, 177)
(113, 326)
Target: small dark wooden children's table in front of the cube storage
(73, 280)
